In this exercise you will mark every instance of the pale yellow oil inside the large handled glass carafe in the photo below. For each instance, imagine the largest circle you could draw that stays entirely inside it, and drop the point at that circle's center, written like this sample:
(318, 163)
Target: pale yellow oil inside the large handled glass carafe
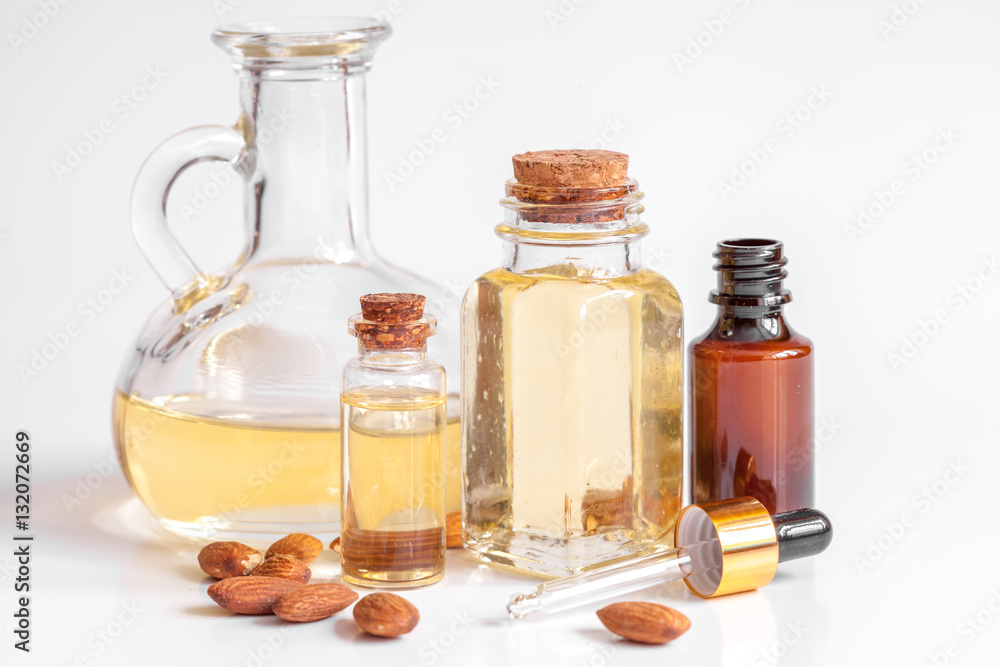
(217, 477)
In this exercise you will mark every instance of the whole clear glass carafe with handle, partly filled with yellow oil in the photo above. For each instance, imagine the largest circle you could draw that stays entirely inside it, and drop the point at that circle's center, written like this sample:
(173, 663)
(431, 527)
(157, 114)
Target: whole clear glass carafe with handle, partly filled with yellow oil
(226, 411)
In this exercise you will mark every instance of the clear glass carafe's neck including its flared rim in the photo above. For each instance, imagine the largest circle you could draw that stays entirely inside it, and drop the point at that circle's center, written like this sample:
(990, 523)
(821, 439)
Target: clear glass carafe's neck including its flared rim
(302, 95)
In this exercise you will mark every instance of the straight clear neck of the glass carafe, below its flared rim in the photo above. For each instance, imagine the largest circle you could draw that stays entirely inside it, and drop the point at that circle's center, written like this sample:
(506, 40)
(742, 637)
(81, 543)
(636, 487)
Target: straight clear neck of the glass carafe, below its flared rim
(307, 187)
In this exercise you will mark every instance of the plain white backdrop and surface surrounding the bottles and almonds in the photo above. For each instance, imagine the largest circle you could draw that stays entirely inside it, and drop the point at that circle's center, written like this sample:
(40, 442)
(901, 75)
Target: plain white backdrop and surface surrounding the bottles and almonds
(886, 593)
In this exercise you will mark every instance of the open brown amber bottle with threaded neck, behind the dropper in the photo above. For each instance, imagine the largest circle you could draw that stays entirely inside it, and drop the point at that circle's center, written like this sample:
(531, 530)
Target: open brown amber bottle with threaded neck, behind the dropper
(752, 387)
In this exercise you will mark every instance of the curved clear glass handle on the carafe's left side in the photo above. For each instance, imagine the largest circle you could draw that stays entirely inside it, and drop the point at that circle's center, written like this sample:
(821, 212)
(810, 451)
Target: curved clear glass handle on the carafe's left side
(215, 143)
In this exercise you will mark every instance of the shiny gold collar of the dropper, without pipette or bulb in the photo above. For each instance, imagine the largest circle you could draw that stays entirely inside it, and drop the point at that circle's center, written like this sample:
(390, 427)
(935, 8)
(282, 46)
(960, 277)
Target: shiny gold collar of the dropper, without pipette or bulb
(746, 557)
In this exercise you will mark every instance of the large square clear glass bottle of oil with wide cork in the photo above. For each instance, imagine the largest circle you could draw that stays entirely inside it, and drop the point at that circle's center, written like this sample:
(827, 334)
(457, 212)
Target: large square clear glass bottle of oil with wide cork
(571, 375)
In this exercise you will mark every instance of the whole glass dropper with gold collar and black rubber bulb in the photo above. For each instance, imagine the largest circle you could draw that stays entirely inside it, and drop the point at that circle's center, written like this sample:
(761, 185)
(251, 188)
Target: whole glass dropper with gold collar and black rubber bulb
(723, 547)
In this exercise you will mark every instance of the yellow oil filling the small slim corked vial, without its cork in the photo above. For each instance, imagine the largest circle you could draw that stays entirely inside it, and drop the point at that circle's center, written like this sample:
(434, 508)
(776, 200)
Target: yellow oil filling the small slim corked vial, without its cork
(394, 520)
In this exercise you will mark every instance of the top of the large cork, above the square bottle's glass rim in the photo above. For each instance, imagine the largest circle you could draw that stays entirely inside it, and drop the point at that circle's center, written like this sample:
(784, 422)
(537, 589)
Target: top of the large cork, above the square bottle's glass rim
(571, 168)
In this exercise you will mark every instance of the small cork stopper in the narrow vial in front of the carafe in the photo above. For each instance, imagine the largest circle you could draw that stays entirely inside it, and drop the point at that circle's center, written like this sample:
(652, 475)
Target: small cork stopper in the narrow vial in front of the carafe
(392, 321)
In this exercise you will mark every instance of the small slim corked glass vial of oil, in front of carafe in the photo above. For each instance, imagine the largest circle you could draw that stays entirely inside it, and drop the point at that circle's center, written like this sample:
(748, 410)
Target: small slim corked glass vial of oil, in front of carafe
(393, 408)
